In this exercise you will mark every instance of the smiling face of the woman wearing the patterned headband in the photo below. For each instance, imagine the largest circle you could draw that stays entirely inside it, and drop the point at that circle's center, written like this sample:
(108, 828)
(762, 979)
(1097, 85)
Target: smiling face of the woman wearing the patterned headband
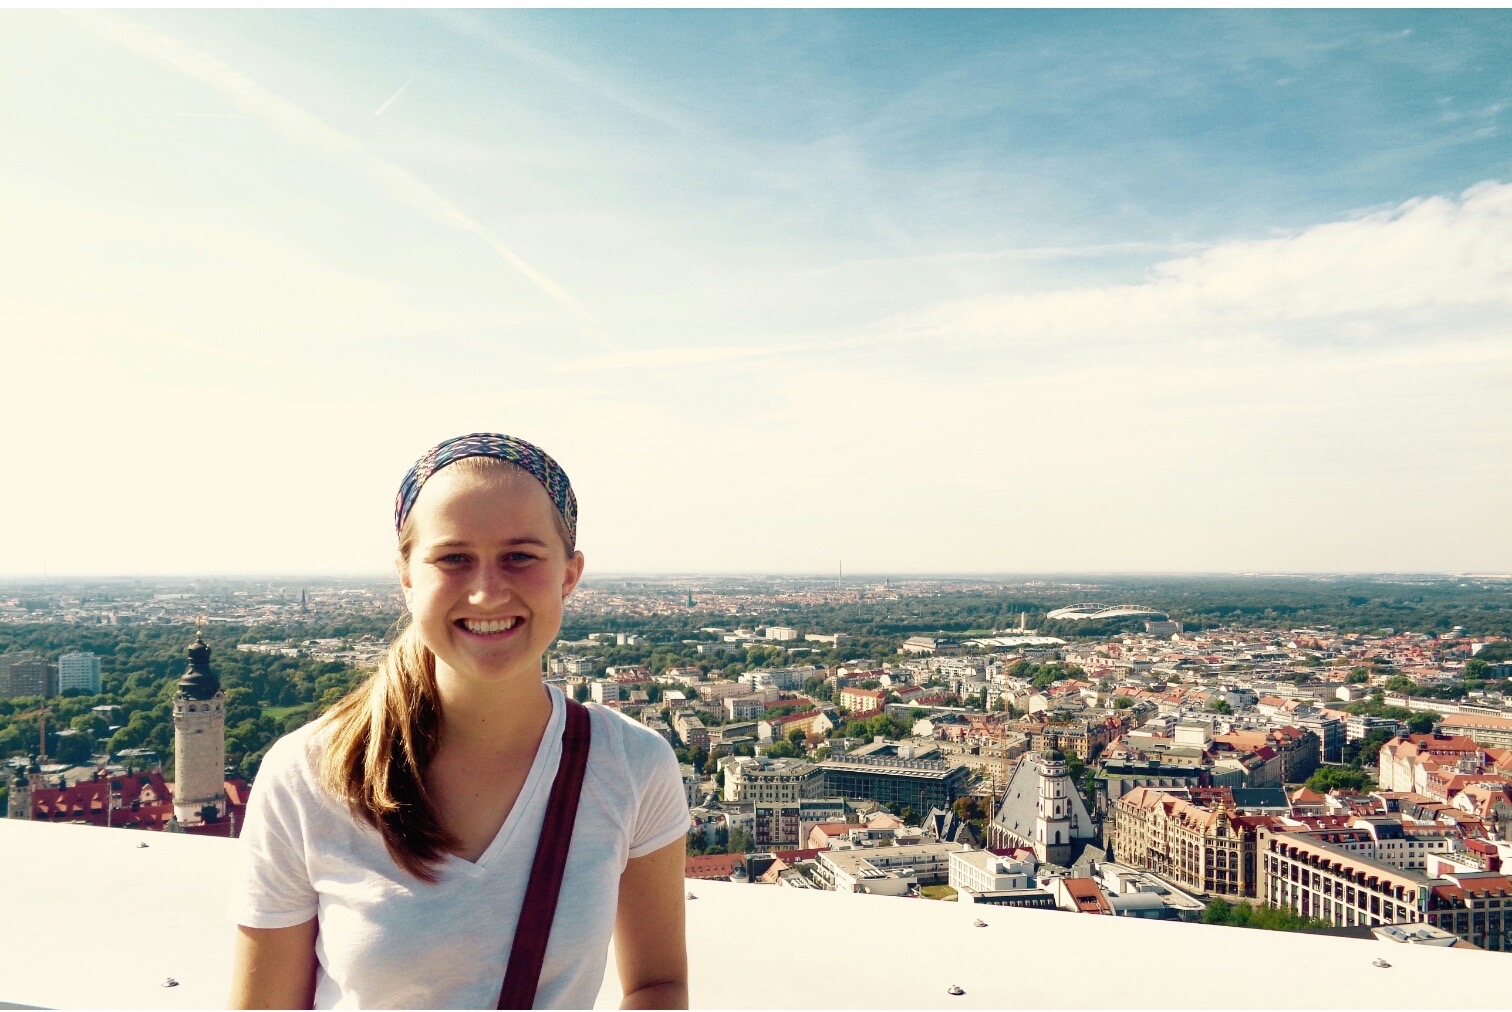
(488, 573)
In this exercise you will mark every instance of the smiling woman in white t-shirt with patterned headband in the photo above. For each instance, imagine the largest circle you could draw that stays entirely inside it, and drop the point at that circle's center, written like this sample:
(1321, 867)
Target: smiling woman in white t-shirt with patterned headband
(389, 846)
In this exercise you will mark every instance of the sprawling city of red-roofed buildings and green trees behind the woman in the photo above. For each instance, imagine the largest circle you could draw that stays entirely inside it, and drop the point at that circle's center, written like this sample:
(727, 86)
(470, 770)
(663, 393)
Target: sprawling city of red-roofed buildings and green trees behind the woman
(1086, 751)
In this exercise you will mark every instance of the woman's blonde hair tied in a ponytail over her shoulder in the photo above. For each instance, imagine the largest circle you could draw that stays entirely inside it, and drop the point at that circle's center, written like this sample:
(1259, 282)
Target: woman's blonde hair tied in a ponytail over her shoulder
(385, 733)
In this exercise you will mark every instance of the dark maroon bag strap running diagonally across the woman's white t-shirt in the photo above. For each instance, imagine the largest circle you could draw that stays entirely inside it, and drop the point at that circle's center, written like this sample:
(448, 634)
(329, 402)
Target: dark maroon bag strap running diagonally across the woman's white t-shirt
(534, 931)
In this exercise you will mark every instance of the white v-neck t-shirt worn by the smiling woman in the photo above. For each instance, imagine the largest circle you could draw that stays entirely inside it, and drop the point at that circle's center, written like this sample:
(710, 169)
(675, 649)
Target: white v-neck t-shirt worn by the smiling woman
(391, 942)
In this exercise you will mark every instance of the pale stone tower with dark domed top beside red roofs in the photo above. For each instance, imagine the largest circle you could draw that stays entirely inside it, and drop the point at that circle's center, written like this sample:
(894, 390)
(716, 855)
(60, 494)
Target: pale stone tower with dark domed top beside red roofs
(199, 739)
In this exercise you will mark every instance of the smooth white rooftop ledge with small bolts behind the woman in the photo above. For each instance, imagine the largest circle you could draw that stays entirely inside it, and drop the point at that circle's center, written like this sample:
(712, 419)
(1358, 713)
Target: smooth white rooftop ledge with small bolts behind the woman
(161, 911)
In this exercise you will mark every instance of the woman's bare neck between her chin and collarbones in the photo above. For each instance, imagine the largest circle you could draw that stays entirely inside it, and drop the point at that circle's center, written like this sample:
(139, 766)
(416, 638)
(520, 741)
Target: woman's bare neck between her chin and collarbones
(485, 719)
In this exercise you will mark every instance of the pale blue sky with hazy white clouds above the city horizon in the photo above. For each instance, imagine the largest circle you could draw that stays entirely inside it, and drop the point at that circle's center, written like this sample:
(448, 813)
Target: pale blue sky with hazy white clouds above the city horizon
(784, 291)
